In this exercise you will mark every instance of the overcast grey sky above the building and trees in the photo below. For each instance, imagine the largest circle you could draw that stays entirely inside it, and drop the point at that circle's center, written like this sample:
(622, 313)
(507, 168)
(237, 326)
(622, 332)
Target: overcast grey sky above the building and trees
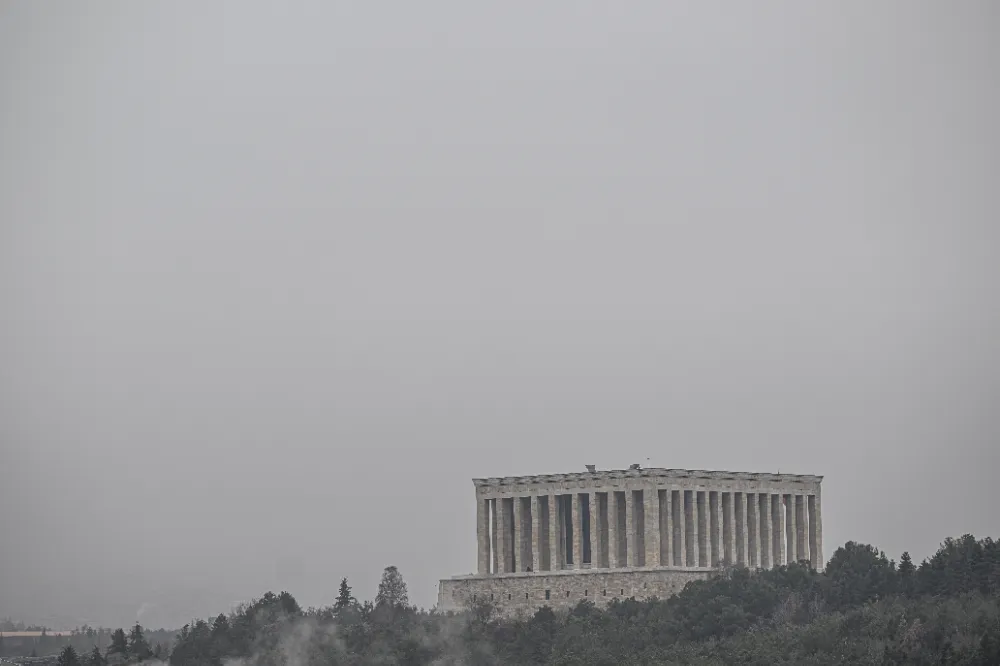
(277, 279)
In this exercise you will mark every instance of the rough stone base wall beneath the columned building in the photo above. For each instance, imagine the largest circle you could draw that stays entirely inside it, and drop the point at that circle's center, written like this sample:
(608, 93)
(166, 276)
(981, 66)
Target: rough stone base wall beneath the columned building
(525, 593)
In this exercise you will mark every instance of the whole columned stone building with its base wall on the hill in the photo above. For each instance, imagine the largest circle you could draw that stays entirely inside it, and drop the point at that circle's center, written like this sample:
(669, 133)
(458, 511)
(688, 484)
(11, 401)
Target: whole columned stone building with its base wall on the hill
(556, 539)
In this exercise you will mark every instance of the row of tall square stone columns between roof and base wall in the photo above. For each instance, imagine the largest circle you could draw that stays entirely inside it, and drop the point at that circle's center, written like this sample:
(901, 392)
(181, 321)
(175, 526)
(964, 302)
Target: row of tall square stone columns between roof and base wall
(646, 526)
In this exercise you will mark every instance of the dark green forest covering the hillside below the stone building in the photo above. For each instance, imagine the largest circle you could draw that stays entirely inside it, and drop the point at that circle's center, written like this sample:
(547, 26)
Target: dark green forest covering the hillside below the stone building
(862, 609)
